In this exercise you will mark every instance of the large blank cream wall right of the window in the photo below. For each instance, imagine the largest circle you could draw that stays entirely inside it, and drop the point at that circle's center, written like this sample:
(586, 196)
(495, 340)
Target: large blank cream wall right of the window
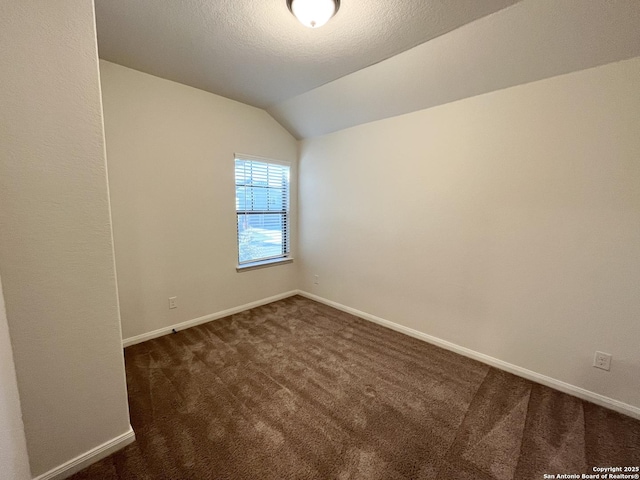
(507, 223)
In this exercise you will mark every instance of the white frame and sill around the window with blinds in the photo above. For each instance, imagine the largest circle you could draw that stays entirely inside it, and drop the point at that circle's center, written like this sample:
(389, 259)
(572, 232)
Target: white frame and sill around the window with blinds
(274, 260)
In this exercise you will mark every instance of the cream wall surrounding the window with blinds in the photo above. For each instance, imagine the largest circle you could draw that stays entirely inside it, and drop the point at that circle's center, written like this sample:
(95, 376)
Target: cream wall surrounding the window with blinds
(170, 151)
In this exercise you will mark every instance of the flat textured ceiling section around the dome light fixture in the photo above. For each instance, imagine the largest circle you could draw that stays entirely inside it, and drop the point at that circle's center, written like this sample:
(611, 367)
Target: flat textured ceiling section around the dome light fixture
(256, 52)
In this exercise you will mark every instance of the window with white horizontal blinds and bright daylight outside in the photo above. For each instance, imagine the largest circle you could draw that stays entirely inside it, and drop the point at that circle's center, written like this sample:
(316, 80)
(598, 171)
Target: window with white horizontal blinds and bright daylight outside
(262, 210)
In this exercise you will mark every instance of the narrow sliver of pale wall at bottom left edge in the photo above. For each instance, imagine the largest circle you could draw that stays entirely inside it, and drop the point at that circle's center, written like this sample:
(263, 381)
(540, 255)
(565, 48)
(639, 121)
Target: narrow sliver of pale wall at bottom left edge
(13, 449)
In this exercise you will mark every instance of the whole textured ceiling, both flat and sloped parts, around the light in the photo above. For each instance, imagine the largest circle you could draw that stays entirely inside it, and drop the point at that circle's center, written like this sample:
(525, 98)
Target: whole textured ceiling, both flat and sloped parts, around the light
(373, 60)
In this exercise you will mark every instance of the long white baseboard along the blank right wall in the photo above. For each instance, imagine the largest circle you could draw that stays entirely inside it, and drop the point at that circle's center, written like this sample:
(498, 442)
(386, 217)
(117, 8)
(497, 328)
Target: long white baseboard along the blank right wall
(579, 392)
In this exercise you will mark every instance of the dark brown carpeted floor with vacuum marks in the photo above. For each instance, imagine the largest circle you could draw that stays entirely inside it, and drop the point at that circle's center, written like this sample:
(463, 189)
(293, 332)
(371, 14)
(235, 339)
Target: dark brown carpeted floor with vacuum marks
(299, 390)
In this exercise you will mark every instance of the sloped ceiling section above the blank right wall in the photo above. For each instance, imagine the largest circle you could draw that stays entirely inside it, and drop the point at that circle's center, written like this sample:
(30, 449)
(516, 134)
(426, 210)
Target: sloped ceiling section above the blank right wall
(532, 40)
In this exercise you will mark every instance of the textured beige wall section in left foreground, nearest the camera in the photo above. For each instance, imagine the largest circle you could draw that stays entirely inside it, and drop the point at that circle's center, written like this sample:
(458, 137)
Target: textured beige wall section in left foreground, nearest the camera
(56, 253)
